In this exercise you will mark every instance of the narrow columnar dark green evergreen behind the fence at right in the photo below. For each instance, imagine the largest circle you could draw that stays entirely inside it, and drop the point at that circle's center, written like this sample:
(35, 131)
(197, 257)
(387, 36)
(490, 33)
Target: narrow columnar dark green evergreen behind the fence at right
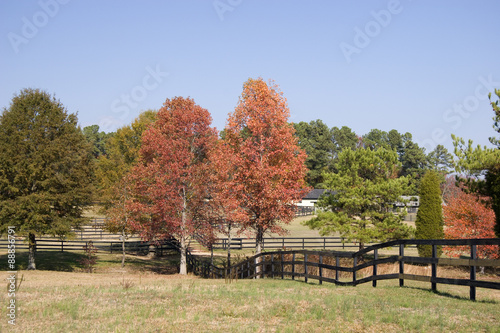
(429, 222)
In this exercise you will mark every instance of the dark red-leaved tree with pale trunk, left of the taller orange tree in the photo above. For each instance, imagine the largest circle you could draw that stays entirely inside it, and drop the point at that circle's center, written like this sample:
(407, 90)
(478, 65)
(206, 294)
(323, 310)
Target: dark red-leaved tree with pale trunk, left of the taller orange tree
(170, 180)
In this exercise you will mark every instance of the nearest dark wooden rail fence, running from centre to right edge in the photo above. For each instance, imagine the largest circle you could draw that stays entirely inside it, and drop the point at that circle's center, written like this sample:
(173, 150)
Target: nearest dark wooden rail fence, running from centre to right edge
(332, 266)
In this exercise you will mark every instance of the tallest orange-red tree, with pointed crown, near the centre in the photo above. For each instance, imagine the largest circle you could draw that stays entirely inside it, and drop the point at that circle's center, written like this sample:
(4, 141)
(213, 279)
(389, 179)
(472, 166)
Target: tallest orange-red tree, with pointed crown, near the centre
(269, 166)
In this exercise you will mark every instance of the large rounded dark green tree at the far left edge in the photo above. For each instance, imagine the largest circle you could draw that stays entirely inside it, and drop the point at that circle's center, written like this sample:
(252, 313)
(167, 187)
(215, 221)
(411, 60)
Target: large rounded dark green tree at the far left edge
(45, 168)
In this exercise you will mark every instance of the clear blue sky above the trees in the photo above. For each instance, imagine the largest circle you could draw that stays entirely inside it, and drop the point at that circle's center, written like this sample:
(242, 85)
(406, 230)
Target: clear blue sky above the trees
(423, 67)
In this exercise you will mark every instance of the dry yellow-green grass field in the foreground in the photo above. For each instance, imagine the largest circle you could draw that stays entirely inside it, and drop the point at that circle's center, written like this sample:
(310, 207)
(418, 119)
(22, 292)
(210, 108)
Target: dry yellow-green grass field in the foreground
(147, 296)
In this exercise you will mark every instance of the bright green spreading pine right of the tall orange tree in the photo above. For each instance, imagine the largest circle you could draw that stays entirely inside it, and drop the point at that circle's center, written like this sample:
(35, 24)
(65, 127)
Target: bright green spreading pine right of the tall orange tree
(363, 192)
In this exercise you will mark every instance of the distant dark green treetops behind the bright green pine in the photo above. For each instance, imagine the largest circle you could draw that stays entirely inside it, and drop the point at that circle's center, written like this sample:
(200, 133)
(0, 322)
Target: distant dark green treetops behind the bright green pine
(323, 146)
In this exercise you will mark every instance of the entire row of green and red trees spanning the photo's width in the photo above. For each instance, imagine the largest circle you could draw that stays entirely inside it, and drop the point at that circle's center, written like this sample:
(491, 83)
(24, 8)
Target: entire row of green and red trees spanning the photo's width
(170, 174)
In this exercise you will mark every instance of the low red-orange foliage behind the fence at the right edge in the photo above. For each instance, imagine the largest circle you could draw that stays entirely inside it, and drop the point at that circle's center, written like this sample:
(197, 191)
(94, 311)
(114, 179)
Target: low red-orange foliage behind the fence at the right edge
(466, 216)
